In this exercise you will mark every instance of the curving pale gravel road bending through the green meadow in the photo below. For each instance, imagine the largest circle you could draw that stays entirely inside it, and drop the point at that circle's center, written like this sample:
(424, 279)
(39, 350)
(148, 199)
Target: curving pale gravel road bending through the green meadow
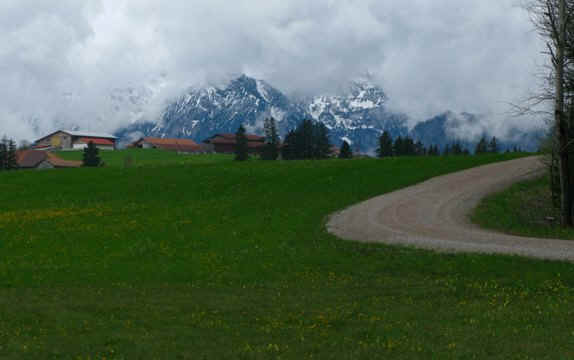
(434, 215)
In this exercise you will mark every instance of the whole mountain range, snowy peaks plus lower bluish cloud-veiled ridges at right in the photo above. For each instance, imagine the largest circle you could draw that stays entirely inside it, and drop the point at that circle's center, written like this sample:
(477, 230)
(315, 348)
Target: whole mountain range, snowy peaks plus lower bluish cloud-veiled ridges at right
(358, 115)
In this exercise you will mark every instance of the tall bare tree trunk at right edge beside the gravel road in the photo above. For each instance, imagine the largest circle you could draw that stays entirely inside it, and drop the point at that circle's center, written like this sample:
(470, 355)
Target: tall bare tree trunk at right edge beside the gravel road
(561, 126)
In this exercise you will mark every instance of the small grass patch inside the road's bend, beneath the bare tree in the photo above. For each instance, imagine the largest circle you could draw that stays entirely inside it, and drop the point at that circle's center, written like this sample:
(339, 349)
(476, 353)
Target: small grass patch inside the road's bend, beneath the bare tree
(523, 209)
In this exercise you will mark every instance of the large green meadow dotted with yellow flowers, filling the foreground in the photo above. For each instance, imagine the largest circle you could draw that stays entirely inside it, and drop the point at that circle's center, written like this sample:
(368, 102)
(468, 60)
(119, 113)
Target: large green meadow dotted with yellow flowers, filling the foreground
(225, 260)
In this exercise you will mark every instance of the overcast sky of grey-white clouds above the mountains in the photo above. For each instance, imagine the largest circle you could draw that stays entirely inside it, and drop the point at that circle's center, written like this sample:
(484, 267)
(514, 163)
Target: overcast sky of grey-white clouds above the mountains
(61, 60)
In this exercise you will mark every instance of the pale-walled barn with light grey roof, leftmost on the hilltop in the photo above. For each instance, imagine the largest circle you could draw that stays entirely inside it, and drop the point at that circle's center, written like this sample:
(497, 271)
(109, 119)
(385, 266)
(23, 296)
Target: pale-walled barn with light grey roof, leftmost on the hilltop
(75, 140)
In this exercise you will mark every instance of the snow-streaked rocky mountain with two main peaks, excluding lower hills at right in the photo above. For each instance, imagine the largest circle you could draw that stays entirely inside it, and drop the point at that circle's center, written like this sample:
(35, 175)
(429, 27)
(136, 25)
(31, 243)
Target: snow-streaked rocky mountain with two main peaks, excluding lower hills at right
(358, 116)
